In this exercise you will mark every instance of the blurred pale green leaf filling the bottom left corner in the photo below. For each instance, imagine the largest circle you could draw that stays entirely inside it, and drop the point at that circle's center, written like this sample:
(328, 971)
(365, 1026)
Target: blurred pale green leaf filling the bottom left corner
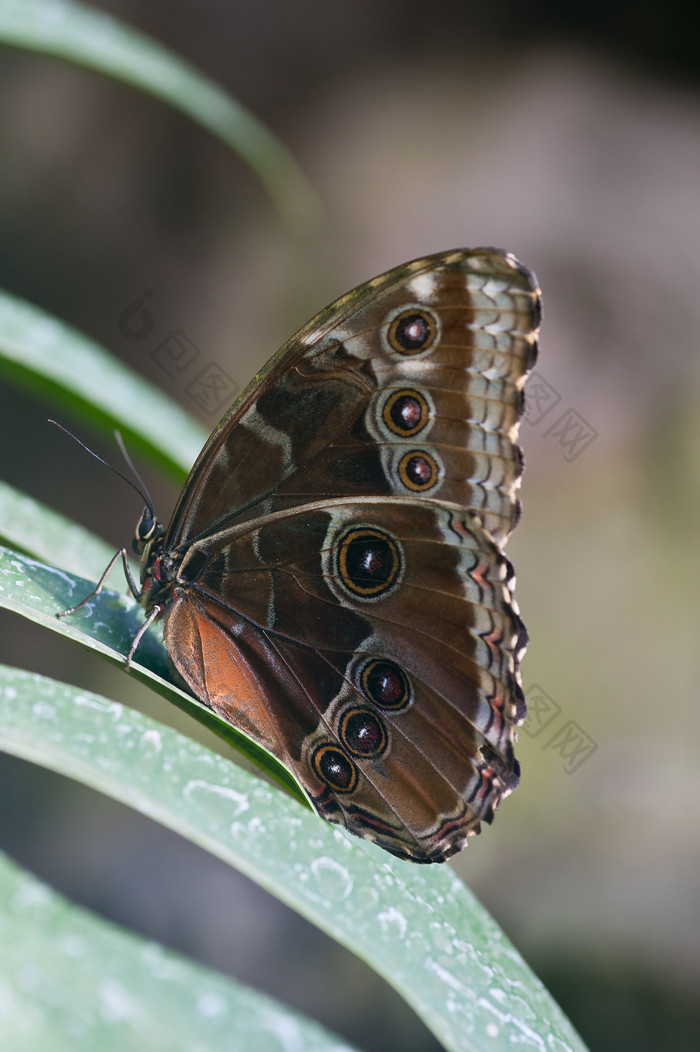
(71, 981)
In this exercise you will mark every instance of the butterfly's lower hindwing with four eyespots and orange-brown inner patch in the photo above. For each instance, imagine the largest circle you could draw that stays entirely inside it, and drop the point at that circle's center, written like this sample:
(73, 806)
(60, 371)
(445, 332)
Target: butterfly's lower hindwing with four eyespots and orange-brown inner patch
(372, 645)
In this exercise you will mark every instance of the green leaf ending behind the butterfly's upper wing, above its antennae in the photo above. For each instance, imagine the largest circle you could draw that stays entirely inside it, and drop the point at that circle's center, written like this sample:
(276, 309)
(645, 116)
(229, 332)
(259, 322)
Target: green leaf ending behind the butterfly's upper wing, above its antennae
(51, 357)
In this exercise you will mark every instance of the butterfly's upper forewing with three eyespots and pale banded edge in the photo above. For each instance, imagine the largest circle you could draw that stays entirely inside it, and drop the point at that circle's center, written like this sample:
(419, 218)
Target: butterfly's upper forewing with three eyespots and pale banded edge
(411, 385)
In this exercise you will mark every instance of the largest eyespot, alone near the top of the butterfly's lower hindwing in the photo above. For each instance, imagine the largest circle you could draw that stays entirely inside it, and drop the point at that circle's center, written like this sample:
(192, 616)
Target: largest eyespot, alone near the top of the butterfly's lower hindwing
(369, 562)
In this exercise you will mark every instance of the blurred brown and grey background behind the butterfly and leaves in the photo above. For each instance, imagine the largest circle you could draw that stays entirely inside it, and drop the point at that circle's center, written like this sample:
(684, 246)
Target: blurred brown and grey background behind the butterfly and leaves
(570, 136)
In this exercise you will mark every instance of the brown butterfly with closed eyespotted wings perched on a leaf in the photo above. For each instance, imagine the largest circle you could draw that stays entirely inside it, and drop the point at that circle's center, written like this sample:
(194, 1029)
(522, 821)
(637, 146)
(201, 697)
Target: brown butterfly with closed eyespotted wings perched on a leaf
(333, 580)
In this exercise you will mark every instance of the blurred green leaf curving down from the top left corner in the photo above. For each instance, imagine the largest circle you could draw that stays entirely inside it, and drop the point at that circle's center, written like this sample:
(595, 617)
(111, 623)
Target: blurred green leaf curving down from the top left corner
(96, 41)
